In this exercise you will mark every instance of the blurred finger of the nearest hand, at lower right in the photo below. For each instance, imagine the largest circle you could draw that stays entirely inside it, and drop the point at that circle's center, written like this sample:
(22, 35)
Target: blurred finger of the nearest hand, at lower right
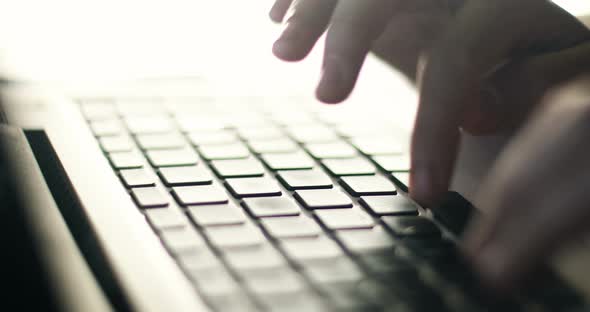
(528, 224)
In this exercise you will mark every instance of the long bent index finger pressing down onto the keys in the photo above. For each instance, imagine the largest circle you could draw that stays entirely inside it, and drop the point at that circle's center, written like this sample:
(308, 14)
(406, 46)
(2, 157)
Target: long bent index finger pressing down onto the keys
(472, 46)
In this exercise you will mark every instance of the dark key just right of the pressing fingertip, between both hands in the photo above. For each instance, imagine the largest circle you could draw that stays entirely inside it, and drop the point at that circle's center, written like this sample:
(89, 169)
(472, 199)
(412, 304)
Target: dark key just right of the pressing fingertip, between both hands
(454, 212)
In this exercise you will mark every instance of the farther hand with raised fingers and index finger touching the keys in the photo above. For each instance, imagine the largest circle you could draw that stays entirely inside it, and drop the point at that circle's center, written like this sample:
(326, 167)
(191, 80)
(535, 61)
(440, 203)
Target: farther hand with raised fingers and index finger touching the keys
(463, 86)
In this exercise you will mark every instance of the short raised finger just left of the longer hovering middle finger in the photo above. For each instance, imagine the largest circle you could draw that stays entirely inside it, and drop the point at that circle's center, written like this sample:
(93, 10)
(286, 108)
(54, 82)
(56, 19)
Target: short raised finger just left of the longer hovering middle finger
(309, 20)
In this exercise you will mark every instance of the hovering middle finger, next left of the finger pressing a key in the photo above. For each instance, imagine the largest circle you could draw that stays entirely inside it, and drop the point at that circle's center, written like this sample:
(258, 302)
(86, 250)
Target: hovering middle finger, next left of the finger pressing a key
(355, 25)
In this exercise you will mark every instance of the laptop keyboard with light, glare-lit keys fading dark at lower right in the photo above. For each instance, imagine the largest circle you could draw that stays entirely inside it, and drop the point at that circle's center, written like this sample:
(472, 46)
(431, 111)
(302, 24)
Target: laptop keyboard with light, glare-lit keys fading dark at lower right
(272, 208)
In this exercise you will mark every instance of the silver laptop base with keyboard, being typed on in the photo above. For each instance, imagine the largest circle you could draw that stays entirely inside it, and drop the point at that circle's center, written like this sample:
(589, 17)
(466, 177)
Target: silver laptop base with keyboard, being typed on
(169, 194)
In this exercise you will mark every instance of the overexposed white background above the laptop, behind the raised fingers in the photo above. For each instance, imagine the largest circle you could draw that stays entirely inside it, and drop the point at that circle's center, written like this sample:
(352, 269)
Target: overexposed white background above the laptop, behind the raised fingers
(228, 42)
